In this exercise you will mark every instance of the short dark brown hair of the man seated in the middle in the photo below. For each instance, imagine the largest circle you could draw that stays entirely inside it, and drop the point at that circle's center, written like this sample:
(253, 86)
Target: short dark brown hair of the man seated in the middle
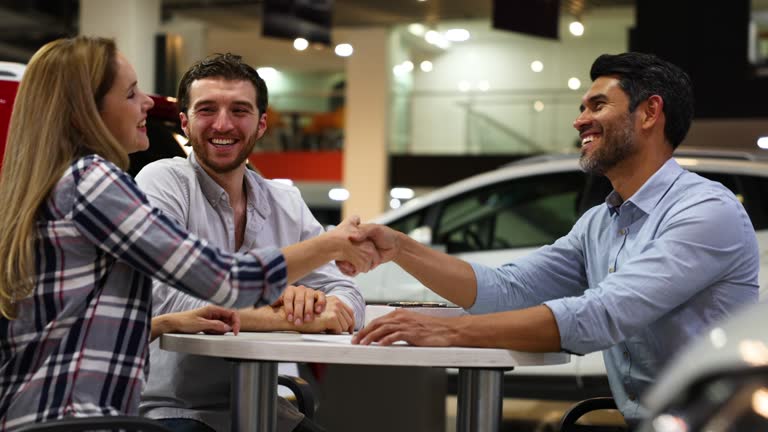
(227, 66)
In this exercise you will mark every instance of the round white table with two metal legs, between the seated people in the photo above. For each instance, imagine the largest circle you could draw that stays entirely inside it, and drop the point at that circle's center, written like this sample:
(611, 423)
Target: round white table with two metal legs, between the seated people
(254, 383)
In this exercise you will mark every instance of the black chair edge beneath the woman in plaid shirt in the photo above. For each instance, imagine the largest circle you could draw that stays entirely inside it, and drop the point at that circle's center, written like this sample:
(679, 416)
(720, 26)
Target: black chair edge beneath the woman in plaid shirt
(110, 423)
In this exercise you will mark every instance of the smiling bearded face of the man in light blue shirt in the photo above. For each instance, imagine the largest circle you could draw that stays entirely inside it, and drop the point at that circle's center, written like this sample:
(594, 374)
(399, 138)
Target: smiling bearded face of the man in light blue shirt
(606, 127)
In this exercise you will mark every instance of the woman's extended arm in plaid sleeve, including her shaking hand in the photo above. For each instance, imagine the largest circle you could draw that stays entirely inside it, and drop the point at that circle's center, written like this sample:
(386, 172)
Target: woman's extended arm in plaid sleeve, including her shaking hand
(117, 218)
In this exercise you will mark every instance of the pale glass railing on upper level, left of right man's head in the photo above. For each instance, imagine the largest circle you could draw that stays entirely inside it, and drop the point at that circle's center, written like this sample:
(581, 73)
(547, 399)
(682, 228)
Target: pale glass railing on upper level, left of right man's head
(492, 122)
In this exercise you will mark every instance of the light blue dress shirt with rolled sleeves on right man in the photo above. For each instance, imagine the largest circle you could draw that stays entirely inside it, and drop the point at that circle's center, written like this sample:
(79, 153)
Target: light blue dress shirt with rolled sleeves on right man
(637, 279)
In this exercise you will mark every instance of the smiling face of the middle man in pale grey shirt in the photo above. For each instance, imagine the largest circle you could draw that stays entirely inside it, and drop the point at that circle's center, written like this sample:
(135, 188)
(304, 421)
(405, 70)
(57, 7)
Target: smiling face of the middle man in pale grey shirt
(222, 123)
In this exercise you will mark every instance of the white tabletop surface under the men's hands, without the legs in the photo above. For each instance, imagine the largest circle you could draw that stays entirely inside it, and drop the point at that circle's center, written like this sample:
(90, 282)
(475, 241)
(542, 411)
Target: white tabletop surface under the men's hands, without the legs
(294, 347)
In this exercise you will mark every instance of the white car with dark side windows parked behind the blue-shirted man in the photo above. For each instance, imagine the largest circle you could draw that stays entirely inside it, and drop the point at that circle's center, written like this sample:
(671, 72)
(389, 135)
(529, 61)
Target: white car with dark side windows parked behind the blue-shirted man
(498, 216)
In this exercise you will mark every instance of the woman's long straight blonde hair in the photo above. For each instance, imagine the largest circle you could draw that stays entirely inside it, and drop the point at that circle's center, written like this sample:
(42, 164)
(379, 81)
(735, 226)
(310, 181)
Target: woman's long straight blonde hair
(55, 120)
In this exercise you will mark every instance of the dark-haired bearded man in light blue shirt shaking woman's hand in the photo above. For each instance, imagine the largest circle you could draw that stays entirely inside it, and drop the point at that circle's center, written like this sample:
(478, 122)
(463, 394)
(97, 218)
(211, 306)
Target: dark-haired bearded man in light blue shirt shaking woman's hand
(667, 255)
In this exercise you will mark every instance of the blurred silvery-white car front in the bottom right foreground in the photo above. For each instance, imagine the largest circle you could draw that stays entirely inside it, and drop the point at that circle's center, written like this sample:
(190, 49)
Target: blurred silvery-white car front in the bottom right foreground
(720, 383)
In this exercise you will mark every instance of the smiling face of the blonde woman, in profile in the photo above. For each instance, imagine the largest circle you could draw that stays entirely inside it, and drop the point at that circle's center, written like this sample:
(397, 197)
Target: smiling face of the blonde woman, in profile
(124, 109)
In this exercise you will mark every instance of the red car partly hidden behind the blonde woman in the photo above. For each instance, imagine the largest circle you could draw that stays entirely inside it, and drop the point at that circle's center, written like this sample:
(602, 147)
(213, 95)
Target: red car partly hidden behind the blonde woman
(163, 127)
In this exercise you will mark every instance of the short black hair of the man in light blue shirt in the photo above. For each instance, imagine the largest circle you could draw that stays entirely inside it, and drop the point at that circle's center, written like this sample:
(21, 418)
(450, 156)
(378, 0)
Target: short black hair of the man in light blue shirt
(644, 75)
